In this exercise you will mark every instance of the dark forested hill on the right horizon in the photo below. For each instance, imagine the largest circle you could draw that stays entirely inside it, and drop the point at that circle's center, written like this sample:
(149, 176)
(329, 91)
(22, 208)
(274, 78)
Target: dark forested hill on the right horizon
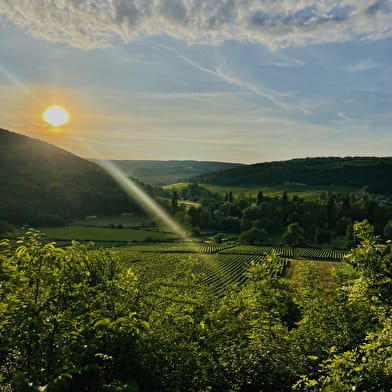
(371, 172)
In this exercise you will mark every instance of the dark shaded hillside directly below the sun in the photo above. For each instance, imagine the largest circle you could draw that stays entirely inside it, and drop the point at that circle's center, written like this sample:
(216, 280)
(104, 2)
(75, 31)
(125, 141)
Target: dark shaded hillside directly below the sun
(43, 184)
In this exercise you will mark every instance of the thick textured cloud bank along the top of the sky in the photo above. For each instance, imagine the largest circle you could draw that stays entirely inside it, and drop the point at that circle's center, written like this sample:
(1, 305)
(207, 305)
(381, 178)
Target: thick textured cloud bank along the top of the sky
(99, 23)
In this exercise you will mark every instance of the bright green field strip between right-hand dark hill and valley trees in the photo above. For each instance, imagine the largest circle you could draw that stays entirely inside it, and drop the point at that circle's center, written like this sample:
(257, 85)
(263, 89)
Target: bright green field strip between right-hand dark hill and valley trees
(306, 192)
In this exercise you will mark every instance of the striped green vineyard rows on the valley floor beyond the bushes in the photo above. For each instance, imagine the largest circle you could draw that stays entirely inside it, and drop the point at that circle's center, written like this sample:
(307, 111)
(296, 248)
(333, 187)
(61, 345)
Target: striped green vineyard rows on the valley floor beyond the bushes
(217, 266)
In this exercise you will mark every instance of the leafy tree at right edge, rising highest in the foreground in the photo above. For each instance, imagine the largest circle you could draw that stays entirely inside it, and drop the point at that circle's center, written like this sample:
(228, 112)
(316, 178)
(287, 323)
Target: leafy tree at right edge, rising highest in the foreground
(364, 300)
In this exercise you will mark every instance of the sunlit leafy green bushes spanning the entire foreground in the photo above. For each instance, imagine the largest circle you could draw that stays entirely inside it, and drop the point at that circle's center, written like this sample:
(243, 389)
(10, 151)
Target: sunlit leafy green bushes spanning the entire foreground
(78, 320)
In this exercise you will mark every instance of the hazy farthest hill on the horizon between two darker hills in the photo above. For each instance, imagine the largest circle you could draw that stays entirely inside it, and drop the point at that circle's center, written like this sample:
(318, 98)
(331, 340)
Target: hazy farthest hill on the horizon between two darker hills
(162, 173)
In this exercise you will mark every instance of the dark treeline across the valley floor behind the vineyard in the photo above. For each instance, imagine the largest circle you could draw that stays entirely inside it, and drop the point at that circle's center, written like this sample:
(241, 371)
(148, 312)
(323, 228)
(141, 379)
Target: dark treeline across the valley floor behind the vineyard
(299, 222)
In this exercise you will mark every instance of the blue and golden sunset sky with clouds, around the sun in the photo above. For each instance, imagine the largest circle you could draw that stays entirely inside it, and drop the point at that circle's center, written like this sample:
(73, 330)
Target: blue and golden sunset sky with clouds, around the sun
(220, 80)
